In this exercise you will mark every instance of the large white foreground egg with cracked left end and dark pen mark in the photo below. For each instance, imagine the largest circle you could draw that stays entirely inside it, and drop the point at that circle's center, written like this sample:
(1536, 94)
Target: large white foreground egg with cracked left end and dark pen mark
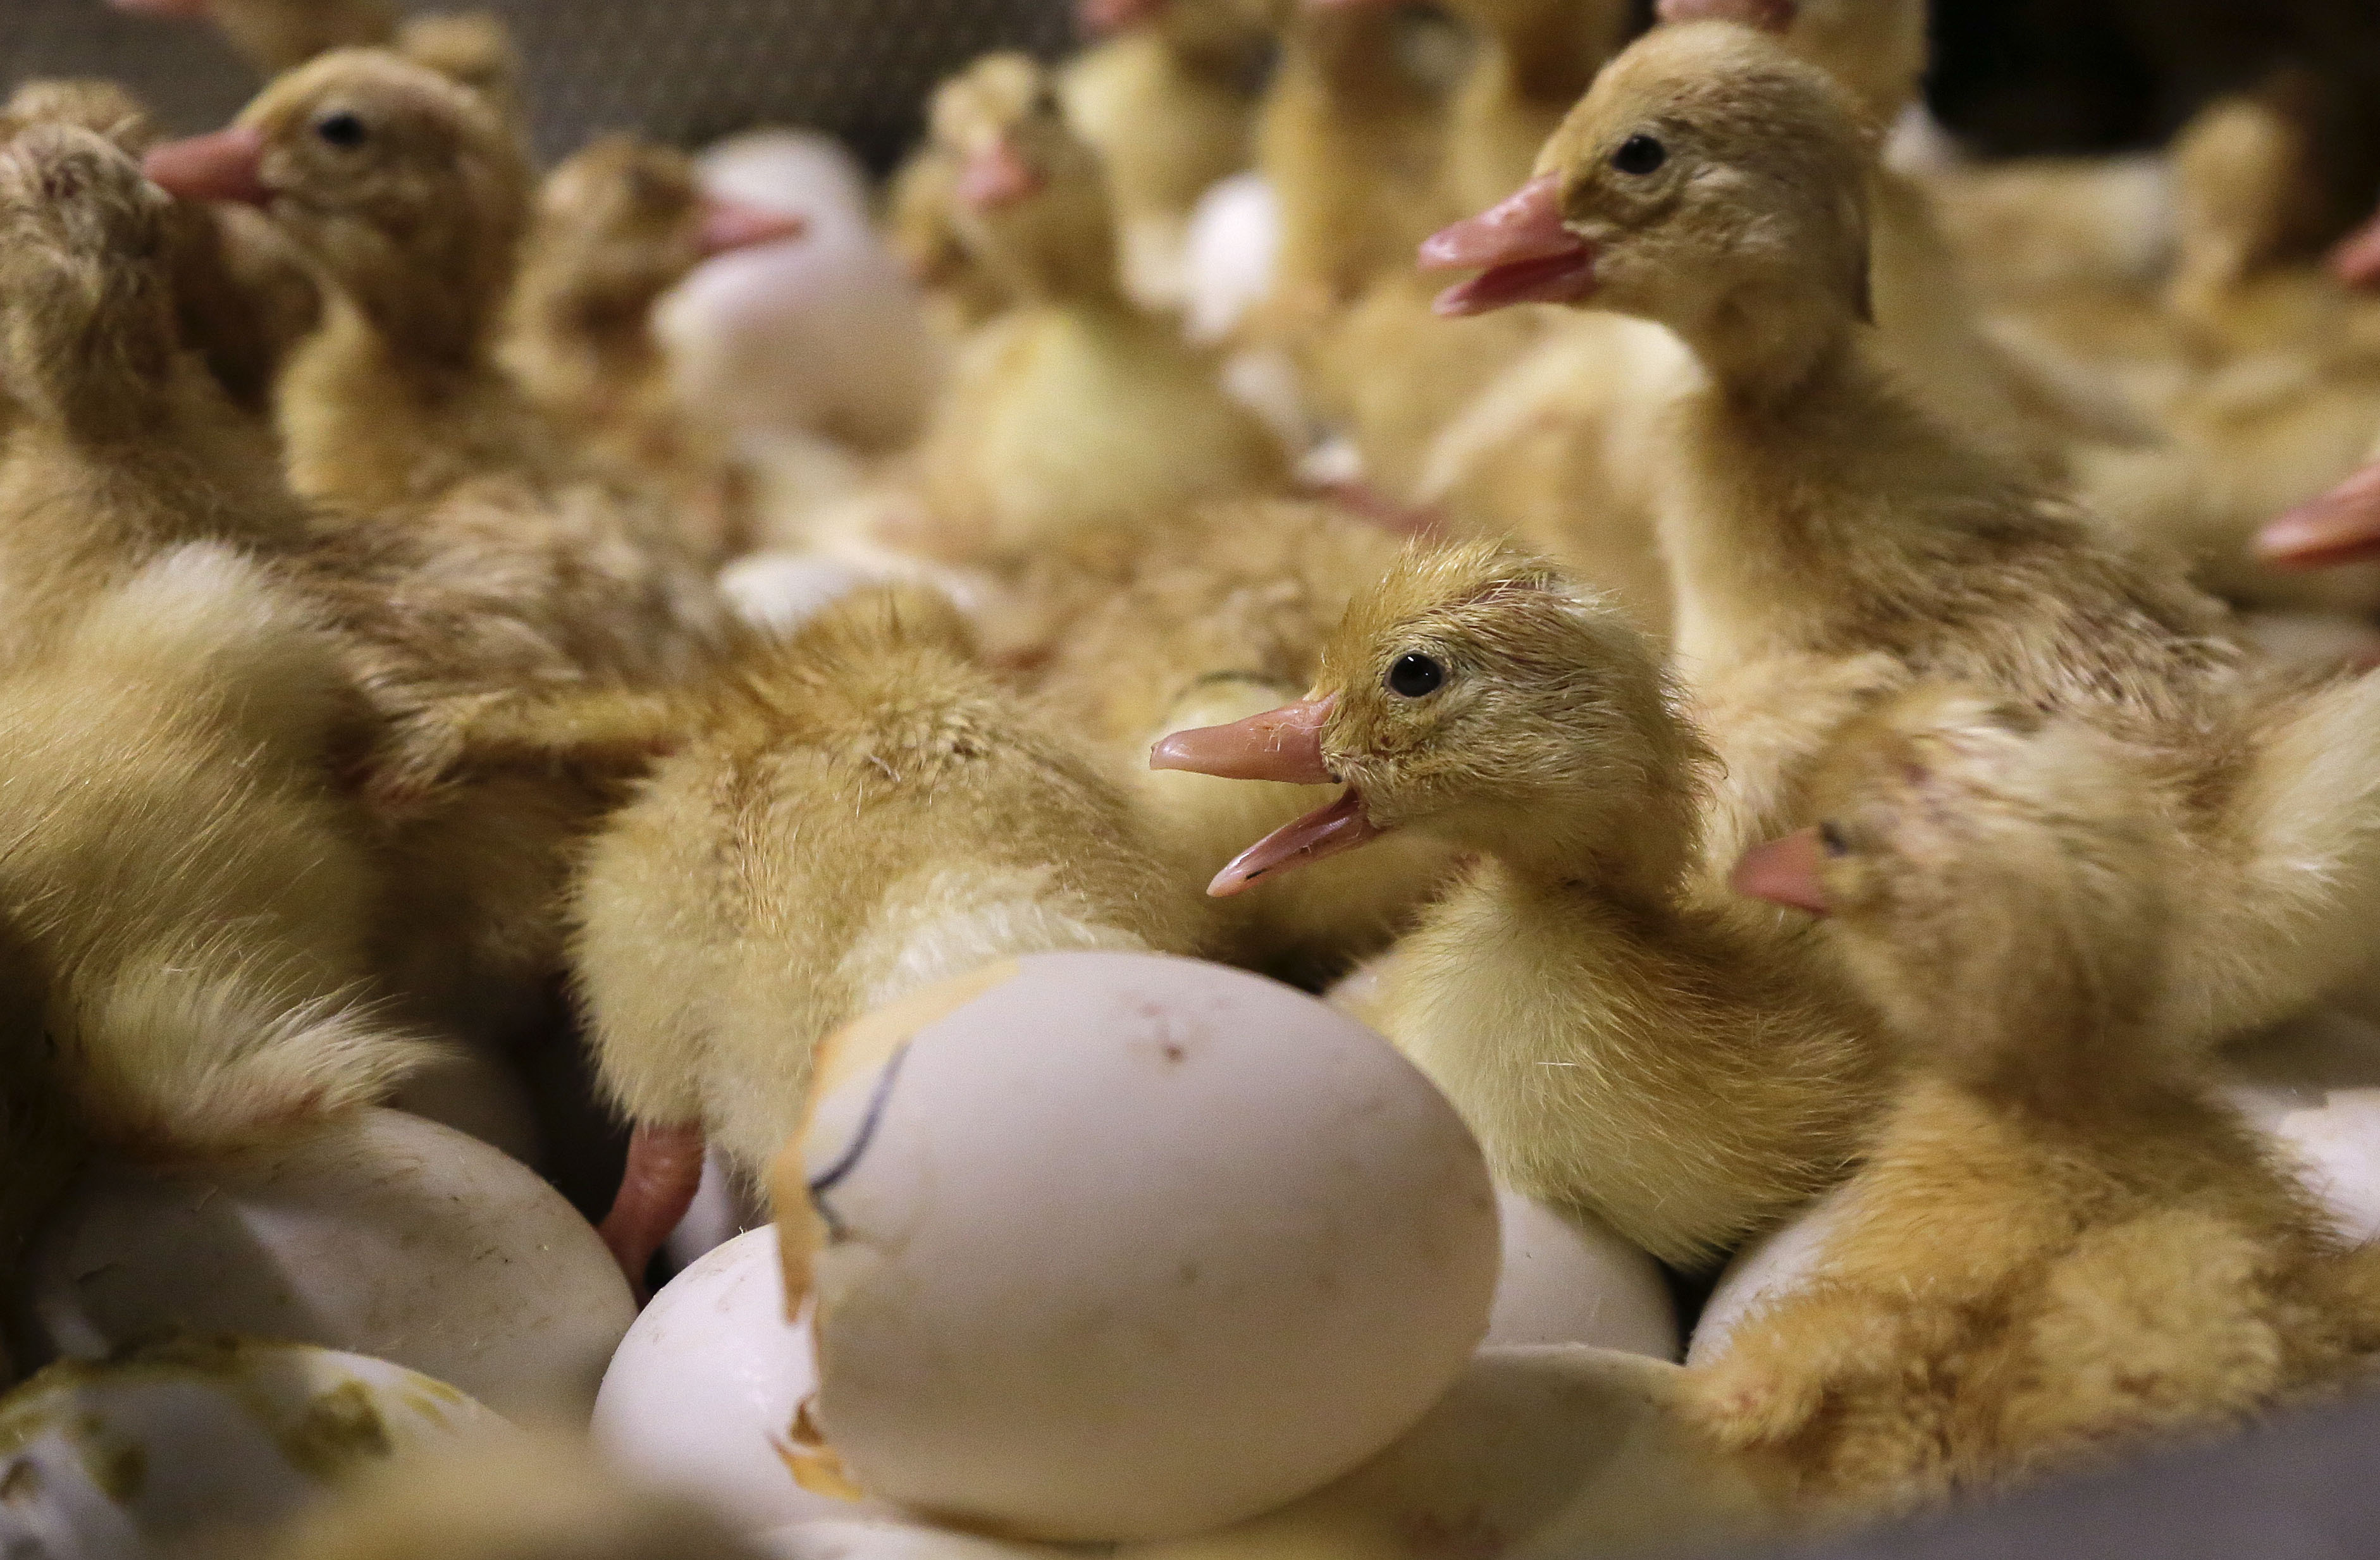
(1120, 1247)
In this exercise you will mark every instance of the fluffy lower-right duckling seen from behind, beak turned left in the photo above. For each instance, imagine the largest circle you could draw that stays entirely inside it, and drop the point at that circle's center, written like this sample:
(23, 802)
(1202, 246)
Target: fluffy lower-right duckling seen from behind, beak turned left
(2062, 1240)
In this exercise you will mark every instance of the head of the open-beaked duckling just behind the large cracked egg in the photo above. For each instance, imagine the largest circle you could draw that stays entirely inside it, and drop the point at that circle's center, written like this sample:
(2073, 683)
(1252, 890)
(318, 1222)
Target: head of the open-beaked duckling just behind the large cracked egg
(1484, 698)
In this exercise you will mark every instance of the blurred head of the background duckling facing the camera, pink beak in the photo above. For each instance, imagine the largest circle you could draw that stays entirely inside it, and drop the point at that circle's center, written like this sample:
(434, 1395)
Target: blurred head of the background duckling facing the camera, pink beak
(1029, 199)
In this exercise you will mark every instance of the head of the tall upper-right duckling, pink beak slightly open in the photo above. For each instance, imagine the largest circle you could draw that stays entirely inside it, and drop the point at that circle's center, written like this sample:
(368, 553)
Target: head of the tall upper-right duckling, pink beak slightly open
(1710, 182)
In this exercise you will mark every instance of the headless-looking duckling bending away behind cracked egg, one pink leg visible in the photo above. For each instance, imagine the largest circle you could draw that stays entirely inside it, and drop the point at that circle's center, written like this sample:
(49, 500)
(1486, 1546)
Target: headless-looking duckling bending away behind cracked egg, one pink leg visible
(863, 812)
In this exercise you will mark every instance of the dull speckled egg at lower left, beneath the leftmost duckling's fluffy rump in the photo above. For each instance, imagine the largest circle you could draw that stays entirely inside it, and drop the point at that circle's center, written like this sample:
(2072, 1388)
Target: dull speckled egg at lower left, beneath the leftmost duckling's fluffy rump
(380, 1233)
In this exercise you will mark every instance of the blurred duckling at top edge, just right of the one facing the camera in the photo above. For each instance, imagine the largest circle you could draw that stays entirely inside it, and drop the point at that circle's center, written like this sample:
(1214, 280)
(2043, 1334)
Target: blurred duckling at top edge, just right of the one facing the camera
(1167, 101)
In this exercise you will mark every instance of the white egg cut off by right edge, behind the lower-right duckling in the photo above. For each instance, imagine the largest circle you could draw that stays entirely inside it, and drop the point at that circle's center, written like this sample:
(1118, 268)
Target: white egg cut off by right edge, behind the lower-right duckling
(2315, 1088)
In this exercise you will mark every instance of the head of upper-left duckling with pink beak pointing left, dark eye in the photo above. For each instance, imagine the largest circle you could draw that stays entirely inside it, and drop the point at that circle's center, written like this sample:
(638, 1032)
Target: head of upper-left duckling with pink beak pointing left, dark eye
(401, 187)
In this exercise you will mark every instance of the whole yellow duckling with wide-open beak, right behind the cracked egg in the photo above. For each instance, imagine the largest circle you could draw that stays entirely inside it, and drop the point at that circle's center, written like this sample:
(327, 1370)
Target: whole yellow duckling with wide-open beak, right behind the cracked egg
(1617, 1048)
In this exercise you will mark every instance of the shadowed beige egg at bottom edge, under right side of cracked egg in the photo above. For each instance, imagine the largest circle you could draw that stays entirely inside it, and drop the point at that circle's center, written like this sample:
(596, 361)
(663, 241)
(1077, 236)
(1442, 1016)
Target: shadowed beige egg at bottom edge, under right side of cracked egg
(1534, 1454)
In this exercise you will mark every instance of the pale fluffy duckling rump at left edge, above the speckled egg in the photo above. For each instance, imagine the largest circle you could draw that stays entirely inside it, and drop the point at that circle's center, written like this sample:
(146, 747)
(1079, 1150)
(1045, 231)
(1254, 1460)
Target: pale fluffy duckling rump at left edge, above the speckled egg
(187, 900)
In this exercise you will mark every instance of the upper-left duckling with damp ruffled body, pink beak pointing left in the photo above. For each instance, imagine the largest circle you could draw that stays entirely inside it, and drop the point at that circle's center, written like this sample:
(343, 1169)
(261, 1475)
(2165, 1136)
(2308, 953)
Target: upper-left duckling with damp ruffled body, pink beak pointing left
(470, 555)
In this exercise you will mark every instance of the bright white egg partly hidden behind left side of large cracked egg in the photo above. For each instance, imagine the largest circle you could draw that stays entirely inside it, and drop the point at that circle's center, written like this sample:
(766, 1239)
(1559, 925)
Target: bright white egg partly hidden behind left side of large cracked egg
(703, 1392)
